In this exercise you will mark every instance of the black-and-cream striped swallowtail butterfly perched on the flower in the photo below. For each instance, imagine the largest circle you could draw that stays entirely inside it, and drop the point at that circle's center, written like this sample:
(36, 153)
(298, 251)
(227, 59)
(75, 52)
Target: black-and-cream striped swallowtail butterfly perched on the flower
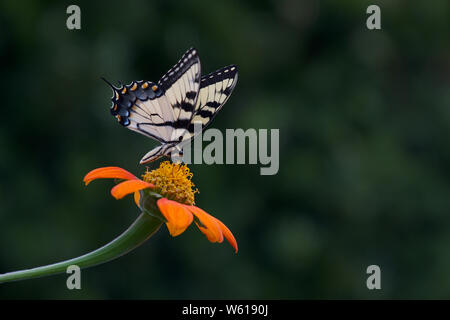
(167, 111)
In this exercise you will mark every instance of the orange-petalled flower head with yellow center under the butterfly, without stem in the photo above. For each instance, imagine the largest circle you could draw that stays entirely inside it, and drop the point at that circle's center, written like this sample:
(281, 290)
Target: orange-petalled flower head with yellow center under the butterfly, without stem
(176, 204)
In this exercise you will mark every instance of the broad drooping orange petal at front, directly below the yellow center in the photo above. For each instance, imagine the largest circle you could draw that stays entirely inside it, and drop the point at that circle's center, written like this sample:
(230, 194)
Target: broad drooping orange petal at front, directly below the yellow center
(178, 217)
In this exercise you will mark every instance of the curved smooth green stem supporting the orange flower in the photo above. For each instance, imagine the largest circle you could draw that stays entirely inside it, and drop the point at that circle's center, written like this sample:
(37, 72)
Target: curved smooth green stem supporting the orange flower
(140, 231)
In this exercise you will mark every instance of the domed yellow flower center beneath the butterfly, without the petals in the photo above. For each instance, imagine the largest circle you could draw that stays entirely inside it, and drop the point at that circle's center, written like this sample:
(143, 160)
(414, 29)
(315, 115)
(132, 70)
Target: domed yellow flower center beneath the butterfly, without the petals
(173, 181)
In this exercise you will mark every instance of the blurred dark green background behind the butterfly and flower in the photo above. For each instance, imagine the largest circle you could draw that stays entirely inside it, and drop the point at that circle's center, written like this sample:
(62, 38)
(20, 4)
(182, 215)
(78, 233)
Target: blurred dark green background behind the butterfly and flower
(364, 119)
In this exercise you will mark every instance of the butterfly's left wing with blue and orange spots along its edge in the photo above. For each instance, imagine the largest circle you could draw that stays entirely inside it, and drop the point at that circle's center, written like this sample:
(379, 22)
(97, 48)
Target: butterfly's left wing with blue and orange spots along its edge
(161, 111)
